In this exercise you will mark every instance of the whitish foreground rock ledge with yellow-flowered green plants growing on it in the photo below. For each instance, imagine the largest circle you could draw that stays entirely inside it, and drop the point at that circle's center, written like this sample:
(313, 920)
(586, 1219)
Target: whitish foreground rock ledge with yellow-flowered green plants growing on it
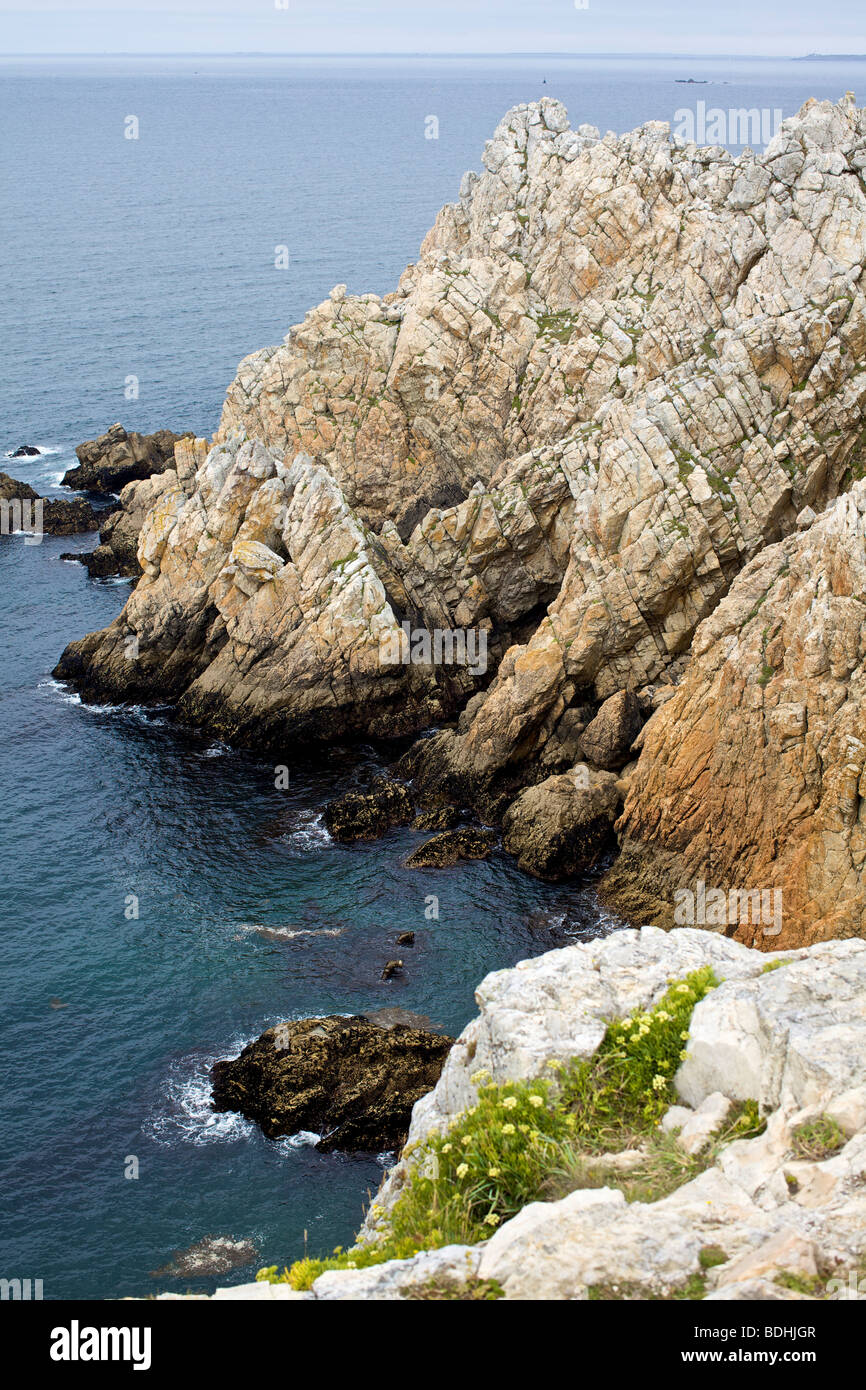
(750, 1186)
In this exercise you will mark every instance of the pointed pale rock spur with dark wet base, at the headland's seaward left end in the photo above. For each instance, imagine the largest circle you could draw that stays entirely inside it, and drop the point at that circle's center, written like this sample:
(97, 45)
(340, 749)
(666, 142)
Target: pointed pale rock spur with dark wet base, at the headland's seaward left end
(262, 610)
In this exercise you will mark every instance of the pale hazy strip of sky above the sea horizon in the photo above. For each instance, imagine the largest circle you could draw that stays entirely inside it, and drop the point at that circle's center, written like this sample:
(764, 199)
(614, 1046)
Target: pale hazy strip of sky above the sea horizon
(746, 27)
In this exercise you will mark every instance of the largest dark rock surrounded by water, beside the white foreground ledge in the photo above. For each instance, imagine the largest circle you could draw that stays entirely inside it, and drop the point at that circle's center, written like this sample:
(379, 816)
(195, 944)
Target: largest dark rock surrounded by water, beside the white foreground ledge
(347, 1079)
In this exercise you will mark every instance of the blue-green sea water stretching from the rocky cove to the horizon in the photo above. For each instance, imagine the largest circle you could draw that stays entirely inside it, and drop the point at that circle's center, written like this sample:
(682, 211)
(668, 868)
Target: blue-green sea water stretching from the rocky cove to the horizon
(155, 258)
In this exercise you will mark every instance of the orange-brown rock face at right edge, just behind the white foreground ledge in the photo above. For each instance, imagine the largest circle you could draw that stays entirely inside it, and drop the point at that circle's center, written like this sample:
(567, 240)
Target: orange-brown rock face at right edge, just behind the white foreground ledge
(754, 776)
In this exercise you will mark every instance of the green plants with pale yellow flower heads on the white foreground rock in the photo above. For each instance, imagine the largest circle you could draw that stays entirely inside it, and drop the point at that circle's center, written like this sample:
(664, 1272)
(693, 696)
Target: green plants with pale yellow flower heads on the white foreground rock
(526, 1140)
